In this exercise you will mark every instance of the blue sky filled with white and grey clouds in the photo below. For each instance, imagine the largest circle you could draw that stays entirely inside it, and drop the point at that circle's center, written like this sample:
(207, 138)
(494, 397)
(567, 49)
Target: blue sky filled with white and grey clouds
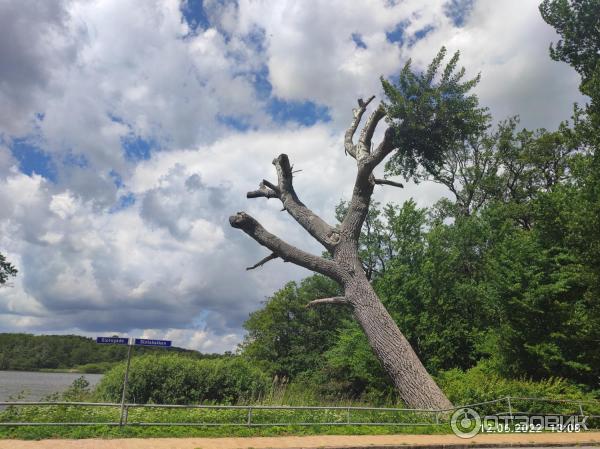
(131, 130)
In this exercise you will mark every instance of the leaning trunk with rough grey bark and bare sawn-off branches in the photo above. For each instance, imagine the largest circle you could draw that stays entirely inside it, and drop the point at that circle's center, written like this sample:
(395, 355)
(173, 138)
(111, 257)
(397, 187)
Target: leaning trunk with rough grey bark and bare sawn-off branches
(415, 386)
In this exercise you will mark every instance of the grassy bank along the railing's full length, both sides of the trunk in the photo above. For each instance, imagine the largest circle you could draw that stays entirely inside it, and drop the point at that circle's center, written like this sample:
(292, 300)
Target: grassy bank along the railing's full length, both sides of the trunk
(233, 422)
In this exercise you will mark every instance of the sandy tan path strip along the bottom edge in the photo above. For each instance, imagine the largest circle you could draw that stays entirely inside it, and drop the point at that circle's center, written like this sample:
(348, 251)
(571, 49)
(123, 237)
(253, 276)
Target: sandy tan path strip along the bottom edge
(324, 441)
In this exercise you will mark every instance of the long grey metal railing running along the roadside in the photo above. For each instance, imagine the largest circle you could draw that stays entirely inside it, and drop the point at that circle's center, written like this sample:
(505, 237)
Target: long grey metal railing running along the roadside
(344, 415)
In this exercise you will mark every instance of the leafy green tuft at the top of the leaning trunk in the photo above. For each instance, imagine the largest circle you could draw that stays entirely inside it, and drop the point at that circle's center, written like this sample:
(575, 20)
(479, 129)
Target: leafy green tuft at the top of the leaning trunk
(431, 118)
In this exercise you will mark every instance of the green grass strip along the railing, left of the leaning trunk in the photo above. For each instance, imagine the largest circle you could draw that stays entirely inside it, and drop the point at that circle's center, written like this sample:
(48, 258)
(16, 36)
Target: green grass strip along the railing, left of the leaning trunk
(111, 414)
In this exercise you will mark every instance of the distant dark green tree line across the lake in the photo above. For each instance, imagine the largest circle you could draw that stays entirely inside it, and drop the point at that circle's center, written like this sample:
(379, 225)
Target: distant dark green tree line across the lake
(34, 352)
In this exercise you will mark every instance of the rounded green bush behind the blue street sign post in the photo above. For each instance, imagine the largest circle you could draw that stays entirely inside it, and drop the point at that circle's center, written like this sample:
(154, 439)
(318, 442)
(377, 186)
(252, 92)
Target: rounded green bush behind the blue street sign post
(174, 379)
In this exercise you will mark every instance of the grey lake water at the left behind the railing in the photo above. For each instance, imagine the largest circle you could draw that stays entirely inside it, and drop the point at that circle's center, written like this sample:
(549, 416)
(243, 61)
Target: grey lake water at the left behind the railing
(37, 385)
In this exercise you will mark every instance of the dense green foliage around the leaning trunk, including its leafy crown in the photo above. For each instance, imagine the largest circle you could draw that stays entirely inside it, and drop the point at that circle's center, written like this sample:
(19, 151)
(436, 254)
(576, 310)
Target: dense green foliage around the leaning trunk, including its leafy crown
(496, 286)
